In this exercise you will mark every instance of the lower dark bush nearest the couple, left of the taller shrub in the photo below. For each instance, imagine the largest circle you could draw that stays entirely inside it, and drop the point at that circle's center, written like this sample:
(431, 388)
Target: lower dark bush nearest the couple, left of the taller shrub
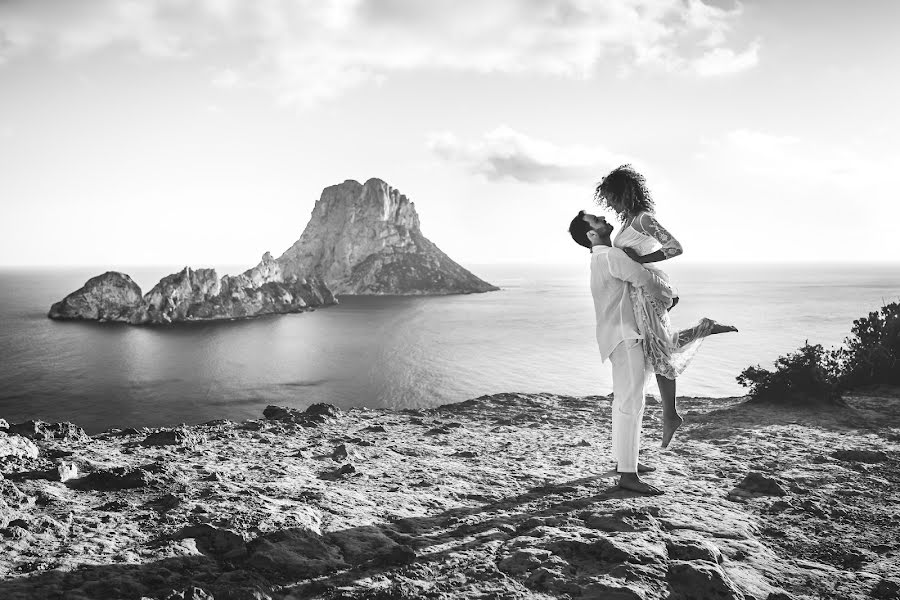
(810, 375)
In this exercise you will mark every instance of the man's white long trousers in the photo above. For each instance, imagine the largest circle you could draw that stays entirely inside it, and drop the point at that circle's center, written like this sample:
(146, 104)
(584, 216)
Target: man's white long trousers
(629, 378)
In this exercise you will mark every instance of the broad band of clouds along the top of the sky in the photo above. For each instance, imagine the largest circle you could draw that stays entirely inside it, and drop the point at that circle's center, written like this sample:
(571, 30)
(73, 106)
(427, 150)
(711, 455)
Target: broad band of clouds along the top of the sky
(305, 51)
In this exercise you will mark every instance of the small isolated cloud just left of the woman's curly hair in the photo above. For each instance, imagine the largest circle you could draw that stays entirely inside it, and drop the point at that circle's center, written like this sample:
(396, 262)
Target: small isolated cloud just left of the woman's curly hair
(507, 154)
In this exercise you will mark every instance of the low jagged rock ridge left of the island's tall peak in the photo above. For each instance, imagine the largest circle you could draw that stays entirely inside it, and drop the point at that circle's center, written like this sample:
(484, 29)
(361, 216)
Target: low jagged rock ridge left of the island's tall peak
(194, 295)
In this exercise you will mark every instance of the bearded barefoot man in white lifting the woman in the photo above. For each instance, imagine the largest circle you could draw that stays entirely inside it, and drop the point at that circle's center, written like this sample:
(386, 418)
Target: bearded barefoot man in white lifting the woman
(612, 272)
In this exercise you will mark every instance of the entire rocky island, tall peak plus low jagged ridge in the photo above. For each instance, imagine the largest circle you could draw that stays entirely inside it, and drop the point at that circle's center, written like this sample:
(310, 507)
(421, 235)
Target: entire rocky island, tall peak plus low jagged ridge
(361, 239)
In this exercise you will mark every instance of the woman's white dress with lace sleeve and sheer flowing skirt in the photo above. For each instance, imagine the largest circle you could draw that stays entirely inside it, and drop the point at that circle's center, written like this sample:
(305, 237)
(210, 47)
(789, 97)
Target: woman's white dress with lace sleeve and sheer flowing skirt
(667, 352)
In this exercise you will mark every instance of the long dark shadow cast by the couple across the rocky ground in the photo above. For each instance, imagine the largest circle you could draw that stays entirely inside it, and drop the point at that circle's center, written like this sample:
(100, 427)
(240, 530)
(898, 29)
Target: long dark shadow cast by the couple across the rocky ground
(454, 530)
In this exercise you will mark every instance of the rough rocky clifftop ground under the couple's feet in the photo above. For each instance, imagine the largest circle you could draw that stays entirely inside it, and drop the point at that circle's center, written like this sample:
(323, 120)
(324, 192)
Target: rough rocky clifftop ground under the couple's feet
(505, 496)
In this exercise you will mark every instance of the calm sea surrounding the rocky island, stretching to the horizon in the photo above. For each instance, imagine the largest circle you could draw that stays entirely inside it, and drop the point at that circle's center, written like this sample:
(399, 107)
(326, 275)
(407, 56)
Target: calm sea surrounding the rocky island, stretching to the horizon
(534, 335)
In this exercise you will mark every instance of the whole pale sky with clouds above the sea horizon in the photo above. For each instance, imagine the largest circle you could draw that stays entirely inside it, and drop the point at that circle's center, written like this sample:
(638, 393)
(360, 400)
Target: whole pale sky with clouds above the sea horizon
(201, 132)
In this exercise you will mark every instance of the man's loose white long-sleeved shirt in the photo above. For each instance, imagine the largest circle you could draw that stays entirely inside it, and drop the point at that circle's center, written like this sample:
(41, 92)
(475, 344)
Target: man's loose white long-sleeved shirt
(612, 272)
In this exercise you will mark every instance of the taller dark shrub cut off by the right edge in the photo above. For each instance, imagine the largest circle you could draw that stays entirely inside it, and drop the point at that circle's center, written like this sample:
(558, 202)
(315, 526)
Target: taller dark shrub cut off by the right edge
(872, 352)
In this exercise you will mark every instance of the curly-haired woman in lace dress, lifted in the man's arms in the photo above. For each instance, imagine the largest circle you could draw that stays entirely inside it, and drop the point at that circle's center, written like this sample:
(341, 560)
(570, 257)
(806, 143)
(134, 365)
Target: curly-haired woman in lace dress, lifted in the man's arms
(668, 352)
